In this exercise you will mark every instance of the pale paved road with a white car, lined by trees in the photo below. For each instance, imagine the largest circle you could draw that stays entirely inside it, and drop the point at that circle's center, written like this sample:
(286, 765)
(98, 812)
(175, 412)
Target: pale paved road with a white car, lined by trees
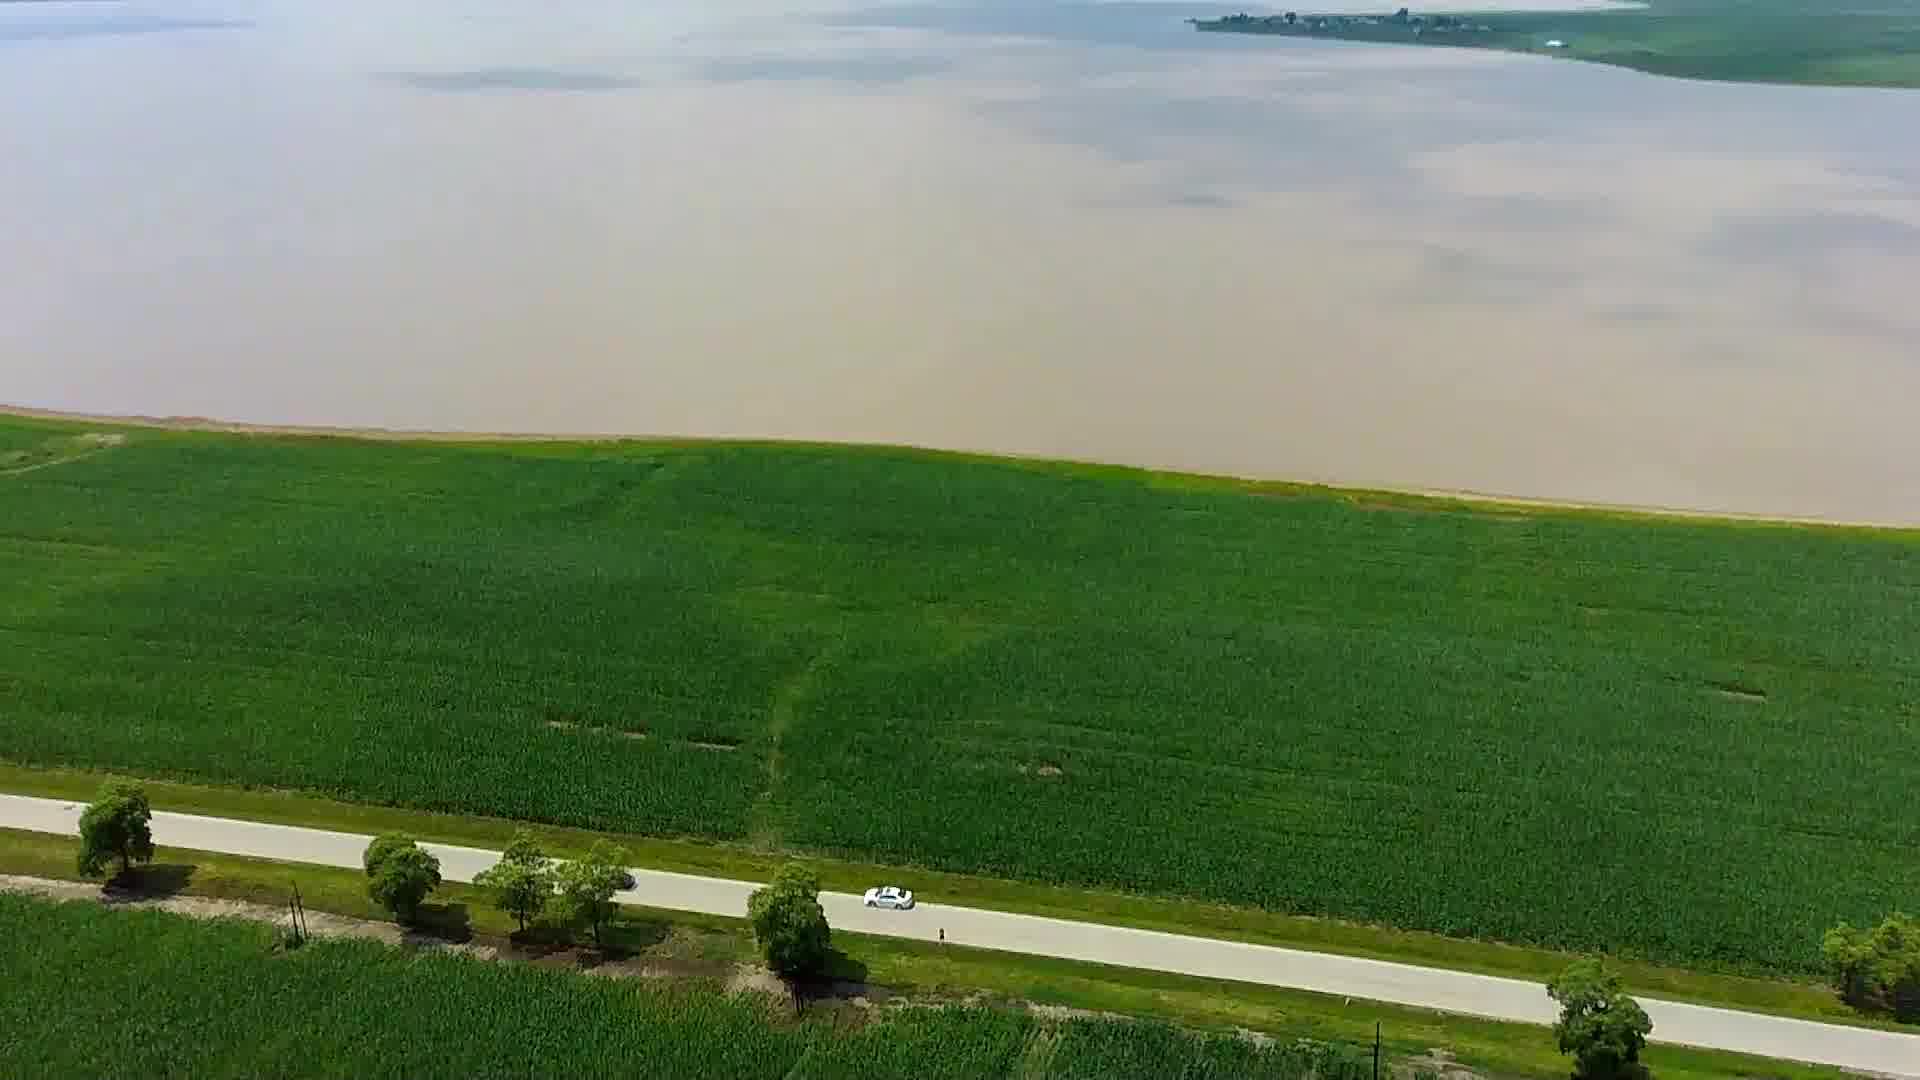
(1209, 958)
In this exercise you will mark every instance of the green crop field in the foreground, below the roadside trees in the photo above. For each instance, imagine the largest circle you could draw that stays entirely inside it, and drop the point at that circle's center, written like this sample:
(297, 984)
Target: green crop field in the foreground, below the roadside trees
(101, 993)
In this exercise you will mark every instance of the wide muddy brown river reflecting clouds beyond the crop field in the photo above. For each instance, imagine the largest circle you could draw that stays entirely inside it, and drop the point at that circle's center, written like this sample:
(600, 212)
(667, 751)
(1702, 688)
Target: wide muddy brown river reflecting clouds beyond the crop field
(1022, 226)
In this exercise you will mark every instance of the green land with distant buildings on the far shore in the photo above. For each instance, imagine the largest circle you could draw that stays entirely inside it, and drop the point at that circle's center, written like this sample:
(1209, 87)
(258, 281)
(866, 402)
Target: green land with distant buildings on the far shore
(1831, 43)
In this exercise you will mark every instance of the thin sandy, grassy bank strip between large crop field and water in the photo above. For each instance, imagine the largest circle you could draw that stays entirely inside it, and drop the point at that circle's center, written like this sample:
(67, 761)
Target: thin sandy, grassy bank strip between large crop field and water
(485, 437)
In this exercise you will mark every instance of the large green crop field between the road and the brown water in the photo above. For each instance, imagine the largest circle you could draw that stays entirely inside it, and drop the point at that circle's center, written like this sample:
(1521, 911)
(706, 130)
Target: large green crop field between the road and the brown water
(1692, 743)
